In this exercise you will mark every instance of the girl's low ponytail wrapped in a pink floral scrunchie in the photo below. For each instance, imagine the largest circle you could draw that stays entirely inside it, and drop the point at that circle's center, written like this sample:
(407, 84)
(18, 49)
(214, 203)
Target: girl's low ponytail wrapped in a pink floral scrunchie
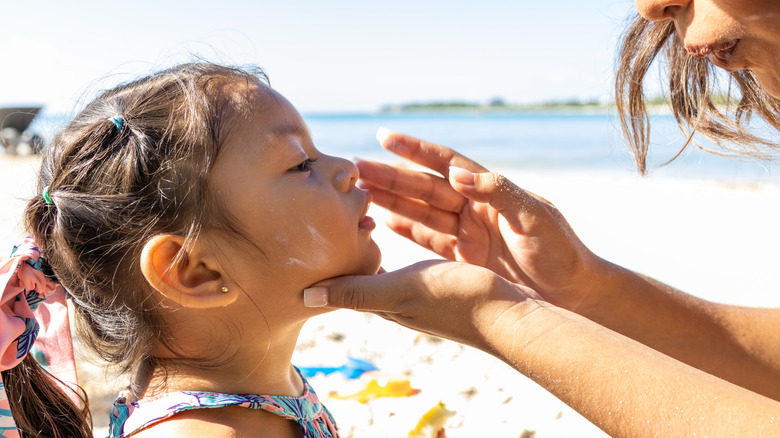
(33, 401)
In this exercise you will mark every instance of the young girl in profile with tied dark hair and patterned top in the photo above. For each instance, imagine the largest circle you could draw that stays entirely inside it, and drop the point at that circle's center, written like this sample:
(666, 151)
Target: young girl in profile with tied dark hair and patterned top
(185, 213)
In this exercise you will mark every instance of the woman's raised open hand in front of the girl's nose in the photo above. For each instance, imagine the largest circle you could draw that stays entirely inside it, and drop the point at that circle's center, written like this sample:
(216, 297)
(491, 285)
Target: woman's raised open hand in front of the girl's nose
(472, 215)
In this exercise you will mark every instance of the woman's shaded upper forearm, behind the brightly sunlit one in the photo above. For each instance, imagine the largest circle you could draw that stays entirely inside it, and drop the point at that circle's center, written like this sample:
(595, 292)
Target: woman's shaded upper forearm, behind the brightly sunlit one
(738, 344)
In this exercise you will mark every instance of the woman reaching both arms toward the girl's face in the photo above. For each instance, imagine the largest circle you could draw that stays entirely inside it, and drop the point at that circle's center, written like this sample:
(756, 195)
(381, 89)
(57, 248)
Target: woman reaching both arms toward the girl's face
(632, 355)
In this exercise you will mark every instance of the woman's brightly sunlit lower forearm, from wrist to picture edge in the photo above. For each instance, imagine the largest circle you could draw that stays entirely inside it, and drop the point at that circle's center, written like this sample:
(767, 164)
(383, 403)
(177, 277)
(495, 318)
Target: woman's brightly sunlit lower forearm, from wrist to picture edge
(624, 387)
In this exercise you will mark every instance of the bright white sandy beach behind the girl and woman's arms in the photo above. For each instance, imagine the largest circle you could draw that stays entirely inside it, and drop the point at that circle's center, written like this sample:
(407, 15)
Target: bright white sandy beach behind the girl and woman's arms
(714, 240)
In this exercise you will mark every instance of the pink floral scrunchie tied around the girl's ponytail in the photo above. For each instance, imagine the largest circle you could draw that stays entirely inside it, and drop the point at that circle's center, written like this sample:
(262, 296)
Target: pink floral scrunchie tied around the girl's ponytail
(34, 320)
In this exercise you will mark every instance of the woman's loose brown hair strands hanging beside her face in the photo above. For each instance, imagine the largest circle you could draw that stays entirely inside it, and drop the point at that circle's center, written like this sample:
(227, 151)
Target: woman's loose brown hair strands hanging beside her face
(693, 94)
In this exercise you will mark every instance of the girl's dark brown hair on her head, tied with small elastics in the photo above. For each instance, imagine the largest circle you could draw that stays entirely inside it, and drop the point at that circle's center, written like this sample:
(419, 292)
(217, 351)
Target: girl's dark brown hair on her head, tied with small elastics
(115, 184)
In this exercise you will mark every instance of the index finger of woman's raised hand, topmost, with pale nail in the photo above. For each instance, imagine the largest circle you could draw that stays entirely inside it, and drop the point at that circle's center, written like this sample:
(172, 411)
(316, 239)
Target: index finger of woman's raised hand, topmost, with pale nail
(430, 155)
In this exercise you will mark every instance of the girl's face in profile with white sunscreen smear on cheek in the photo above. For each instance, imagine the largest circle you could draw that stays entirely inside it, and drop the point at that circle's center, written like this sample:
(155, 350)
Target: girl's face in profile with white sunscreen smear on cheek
(302, 216)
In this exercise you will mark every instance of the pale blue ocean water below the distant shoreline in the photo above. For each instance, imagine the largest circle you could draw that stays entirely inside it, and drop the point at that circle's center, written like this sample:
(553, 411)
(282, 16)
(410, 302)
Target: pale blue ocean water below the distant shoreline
(545, 141)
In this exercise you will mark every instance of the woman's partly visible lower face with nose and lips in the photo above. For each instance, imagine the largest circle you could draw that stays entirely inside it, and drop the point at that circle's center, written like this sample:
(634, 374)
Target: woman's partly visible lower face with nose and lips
(734, 34)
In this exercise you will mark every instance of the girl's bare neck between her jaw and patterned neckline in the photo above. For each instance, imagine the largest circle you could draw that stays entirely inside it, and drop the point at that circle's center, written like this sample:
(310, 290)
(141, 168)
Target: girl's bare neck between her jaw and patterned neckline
(249, 368)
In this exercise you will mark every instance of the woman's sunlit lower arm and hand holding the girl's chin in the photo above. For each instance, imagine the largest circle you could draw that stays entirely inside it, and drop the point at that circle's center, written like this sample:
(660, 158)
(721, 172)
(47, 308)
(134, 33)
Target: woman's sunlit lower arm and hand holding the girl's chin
(620, 385)
